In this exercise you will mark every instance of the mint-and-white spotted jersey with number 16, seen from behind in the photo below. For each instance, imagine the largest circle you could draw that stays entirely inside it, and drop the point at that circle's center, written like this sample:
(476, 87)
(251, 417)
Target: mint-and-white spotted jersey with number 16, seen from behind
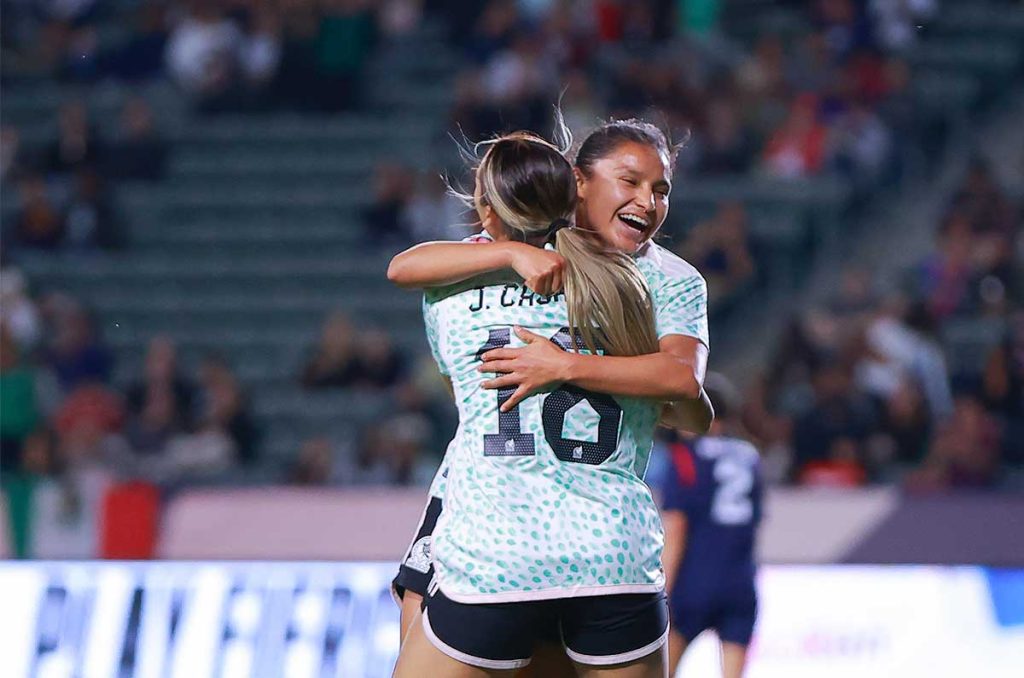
(549, 501)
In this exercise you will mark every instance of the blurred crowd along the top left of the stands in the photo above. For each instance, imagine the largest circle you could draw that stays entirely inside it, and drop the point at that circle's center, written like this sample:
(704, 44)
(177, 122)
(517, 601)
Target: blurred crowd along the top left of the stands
(223, 55)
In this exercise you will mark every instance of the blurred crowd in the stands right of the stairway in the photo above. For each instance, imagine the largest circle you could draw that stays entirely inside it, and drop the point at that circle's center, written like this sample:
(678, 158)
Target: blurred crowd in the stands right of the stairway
(921, 385)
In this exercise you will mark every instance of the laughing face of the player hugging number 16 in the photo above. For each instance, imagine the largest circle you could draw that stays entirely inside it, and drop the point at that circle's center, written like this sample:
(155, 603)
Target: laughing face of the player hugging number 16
(625, 197)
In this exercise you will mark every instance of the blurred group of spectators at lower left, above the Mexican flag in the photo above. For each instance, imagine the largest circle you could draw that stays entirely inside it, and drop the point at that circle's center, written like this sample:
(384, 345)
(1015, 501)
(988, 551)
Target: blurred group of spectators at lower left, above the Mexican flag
(65, 413)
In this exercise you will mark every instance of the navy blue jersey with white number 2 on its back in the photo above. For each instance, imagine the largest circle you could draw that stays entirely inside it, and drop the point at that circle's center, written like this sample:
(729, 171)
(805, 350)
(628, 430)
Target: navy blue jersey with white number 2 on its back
(716, 483)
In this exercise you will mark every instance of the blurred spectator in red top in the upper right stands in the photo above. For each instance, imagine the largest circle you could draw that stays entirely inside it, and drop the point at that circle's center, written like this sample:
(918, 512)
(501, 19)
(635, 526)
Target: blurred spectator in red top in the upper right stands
(797, 149)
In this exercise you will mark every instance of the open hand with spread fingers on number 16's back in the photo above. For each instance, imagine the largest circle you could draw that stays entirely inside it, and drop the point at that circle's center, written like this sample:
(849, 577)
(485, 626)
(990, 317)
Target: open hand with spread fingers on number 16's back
(540, 366)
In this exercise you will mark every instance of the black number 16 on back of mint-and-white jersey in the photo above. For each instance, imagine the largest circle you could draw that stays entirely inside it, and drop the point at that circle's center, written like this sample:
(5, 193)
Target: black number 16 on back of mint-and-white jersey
(511, 442)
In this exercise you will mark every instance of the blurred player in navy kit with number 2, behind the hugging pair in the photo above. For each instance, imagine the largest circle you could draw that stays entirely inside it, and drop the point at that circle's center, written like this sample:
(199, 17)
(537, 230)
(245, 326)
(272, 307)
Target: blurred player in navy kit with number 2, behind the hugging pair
(711, 513)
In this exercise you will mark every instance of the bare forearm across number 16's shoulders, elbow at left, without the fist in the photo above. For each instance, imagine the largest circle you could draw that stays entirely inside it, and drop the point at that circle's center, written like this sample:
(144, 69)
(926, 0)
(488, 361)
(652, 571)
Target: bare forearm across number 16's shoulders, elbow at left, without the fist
(437, 265)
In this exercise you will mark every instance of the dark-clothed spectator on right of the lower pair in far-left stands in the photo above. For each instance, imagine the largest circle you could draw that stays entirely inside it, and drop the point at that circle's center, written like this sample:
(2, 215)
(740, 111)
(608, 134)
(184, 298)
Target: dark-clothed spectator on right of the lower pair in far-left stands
(91, 221)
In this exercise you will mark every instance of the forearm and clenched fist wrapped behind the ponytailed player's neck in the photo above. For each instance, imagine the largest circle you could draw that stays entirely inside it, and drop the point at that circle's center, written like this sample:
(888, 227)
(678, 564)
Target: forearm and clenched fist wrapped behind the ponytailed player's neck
(441, 264)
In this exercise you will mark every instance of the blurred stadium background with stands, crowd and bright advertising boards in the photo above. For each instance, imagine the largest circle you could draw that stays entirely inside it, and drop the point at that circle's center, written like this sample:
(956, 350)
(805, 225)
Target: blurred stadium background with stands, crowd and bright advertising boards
(203, 362)
